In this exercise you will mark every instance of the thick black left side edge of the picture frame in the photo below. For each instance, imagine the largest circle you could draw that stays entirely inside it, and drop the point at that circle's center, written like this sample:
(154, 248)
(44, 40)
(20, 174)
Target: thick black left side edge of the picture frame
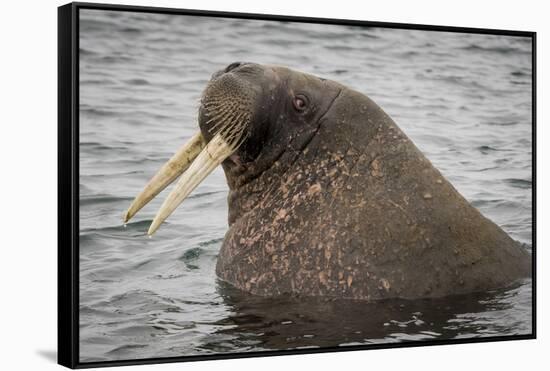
(67, 294)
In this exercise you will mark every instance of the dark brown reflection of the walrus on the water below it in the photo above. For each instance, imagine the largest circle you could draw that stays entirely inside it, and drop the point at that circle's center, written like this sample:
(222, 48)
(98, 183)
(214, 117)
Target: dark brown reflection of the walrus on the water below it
(288, 322)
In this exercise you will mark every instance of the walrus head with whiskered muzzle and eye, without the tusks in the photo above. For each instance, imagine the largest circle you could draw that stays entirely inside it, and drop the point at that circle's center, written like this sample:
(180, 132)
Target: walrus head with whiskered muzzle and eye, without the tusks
(262, 107)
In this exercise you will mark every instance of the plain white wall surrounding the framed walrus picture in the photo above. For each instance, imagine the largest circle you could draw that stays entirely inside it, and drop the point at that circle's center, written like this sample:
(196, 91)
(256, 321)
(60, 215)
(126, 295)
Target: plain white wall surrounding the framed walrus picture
(28, 181)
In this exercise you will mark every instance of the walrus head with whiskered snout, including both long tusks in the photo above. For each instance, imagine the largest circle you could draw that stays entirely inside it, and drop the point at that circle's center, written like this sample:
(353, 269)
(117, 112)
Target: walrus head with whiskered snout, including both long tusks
(249, 115)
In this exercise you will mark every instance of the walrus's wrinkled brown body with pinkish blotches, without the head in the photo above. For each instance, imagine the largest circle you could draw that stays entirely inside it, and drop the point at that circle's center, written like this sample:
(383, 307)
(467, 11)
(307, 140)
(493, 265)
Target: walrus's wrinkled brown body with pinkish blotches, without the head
(360, 213)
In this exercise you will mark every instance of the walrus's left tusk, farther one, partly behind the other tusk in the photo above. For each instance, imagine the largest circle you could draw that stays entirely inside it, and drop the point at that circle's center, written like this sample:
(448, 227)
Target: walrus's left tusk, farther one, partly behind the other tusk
(181, 160)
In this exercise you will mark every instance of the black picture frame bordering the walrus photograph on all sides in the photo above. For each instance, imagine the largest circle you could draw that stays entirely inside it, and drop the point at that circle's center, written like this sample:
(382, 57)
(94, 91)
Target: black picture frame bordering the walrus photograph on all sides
(68, 181)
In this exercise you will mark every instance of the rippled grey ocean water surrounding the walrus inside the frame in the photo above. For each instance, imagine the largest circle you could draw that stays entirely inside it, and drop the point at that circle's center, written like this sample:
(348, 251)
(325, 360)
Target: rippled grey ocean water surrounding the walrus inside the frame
(464, 99)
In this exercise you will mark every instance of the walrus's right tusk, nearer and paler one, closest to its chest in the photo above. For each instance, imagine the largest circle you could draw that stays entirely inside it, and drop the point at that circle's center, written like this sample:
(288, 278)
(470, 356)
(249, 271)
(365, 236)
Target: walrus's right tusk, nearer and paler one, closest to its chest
(210, 157)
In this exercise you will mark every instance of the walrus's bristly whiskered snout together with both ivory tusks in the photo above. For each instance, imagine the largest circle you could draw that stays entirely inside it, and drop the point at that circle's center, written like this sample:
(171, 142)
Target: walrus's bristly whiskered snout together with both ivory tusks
(225, 114)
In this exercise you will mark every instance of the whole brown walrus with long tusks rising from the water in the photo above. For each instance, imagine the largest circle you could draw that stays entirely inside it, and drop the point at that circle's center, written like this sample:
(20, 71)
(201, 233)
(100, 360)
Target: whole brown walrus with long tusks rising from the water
(328, 197)
